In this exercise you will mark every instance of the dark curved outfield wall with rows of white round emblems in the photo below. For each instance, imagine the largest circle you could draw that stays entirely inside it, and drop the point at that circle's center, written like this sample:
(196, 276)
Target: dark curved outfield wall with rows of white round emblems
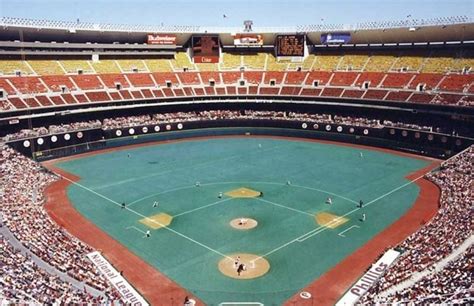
(414, 141)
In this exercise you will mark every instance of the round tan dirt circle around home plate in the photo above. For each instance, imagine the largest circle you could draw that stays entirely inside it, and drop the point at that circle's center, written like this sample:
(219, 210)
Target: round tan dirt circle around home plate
(254, 266)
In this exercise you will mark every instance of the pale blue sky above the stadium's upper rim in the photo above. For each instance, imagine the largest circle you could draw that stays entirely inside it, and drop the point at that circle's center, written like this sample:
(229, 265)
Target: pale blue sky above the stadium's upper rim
(210, 12)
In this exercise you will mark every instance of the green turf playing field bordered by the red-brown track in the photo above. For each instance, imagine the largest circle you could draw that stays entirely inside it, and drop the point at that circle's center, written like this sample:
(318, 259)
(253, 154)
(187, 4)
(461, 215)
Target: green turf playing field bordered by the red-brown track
(288, 236)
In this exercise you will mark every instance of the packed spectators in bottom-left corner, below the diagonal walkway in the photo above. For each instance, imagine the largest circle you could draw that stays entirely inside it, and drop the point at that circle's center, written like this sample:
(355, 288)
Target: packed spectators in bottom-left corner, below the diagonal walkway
(23, 281)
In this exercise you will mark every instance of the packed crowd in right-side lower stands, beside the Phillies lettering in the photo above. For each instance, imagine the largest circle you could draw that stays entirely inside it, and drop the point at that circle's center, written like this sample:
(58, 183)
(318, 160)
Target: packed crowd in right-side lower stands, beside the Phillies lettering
(452, 225)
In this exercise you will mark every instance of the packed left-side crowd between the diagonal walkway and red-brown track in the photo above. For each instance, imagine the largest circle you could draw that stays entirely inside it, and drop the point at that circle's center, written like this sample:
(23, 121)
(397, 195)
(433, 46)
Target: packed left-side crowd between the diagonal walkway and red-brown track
(22, 183)
